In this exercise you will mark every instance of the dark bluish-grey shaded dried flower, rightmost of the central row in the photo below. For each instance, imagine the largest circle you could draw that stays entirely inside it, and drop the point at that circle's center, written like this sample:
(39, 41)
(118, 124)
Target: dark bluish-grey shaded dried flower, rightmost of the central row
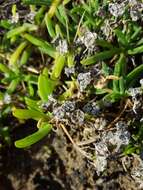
(92, 108)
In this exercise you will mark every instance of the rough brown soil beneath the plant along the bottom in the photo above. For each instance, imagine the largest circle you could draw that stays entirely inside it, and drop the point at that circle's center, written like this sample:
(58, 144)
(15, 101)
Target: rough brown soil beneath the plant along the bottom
(53, 164)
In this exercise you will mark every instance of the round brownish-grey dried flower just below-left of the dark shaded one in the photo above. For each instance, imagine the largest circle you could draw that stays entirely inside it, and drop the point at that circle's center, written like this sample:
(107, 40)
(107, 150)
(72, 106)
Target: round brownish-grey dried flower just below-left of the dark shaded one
(77, 117)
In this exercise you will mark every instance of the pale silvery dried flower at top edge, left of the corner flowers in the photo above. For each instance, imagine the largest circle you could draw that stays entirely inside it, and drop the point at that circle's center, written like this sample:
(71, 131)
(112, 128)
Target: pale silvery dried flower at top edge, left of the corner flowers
(117, 9)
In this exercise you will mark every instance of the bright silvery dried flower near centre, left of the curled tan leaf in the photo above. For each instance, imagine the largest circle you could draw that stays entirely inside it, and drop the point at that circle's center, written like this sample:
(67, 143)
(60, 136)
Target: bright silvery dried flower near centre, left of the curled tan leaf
(84, 80)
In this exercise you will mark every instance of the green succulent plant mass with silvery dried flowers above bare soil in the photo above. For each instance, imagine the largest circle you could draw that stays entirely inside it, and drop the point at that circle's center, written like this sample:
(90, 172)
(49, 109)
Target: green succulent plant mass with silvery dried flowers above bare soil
(69, 62)
